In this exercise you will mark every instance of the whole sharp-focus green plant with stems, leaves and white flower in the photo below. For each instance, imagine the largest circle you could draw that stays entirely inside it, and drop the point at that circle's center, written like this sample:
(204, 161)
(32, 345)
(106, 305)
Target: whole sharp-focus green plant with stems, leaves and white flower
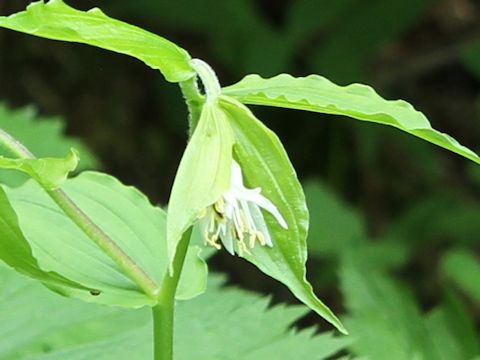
(111, 246)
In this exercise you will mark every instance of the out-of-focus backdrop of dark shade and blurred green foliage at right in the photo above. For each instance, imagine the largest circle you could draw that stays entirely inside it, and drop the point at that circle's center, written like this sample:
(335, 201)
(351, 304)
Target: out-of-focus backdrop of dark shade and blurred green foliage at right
(404, 243)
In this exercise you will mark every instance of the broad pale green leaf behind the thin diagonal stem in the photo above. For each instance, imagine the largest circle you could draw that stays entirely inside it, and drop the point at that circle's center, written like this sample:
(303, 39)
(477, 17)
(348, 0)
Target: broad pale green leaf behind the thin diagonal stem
(124, 214)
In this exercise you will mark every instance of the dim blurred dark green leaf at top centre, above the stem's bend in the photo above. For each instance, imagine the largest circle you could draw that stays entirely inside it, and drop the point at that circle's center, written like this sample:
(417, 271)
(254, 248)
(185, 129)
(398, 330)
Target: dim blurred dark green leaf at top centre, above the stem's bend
(240, 22)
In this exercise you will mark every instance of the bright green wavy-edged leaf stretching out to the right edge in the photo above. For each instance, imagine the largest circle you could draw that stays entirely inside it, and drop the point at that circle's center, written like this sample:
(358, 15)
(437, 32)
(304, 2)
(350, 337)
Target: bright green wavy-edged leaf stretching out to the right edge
(318, 94)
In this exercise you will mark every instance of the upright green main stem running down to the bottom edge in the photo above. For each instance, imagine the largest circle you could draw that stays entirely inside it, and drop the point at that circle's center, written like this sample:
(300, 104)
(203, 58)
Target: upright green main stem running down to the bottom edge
(164, 311)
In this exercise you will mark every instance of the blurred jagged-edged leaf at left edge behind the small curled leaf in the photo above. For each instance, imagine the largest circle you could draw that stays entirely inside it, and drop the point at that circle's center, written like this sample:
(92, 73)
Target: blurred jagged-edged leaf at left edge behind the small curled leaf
(28, 127)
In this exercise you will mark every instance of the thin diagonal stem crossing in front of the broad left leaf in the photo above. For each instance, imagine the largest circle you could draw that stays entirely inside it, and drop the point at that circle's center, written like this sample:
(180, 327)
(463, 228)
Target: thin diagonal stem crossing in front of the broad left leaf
(87, 225)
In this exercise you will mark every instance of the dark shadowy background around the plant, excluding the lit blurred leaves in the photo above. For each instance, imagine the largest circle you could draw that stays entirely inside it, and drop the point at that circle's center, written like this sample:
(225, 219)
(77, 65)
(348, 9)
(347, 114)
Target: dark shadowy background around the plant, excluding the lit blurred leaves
(425, 52)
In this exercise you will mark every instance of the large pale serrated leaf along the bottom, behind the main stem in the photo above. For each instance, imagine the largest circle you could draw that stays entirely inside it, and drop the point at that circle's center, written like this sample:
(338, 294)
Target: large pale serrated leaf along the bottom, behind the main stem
(224, 323)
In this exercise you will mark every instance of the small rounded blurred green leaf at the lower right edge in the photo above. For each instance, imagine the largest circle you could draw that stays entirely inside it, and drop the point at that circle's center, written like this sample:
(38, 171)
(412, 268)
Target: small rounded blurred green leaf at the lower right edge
(462, 267)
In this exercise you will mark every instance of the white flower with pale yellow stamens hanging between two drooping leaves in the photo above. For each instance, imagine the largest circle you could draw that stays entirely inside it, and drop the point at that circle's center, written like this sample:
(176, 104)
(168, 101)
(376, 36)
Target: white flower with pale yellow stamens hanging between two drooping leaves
(236, 218)
